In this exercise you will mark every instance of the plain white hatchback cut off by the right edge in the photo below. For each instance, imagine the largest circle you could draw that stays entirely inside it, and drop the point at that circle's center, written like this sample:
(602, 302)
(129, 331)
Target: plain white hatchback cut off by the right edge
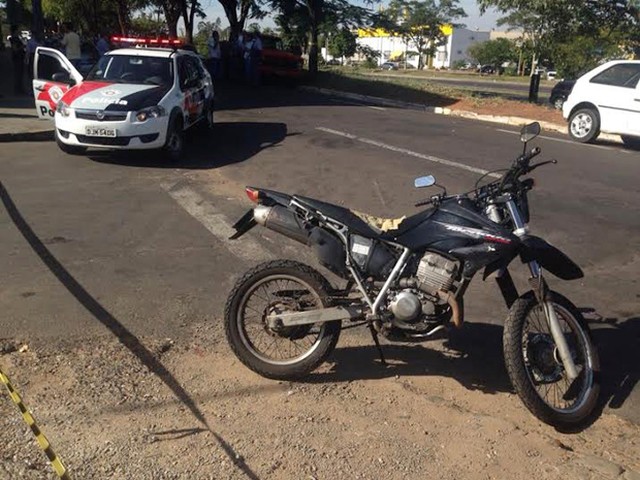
(606, 99)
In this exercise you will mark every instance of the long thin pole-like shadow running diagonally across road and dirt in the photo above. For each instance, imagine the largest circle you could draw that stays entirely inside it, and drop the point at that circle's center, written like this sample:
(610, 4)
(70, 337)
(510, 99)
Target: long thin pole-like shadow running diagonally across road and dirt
(128, 339)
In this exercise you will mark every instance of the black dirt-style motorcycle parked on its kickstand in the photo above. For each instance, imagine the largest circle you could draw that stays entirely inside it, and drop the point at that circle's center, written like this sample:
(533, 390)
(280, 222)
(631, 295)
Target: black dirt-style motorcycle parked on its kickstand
(406, 279)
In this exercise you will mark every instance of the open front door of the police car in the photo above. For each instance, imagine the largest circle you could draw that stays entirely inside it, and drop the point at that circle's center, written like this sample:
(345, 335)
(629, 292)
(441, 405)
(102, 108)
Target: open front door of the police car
(53, 75)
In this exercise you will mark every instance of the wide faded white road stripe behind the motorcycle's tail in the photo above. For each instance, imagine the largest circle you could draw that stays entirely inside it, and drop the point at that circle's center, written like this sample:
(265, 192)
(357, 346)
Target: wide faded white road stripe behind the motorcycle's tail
(214, 221)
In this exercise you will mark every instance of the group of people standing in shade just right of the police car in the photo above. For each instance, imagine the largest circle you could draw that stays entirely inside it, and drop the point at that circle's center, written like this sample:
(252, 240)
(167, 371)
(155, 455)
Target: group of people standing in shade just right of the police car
(242, 59)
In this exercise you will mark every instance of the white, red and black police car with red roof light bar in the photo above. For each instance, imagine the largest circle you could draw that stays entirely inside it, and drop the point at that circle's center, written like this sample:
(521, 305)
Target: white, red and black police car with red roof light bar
(133, 98)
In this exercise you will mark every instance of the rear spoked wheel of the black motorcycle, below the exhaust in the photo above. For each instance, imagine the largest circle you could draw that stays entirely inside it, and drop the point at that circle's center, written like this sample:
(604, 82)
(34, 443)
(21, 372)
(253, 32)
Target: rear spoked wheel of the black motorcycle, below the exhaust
(265, 346)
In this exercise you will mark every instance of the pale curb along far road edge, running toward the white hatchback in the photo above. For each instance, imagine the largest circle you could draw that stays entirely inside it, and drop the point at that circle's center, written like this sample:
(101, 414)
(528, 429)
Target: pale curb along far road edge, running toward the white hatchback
(505, 120)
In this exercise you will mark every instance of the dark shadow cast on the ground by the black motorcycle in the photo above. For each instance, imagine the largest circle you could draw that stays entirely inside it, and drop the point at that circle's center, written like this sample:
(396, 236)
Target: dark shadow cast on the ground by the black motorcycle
(474, 358)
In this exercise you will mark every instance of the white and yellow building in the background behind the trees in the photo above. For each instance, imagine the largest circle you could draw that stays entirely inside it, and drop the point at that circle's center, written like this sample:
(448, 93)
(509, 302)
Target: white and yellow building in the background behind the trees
(393, 48)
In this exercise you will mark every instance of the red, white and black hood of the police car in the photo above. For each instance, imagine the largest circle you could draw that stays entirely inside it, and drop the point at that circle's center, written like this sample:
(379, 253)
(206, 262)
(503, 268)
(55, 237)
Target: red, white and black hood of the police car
(114, 96)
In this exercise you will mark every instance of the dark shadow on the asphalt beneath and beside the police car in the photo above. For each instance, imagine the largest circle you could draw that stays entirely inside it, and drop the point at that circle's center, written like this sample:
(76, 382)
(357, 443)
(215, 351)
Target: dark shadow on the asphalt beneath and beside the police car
(228, 143)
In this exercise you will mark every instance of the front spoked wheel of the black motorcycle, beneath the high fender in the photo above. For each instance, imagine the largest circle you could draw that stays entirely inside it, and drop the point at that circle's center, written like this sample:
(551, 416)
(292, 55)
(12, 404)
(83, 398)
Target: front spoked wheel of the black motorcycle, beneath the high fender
(533, 361)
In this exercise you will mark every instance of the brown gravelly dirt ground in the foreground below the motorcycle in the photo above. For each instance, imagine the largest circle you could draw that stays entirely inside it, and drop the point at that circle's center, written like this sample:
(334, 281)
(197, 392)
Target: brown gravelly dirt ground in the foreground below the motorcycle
(185, 408)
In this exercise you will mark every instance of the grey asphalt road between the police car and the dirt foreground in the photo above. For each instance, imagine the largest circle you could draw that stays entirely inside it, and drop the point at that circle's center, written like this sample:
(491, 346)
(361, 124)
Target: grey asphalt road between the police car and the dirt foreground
(94, 245)
